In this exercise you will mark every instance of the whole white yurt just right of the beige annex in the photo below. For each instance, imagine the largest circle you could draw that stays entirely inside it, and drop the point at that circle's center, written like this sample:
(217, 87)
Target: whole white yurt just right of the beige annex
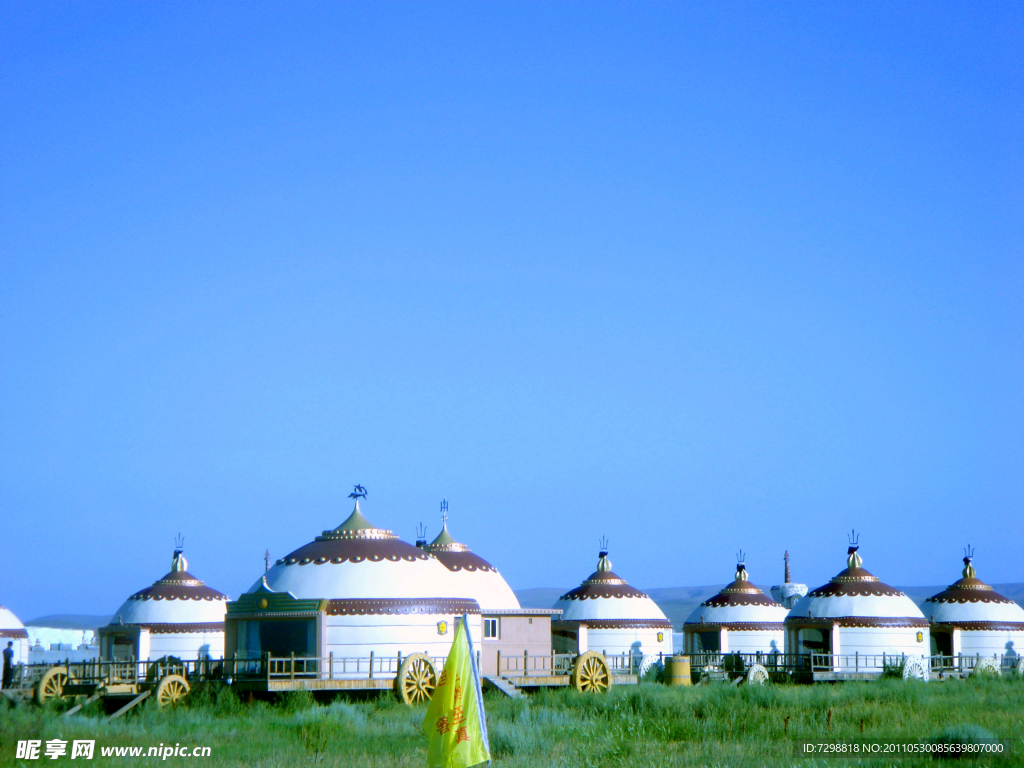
(607, 615)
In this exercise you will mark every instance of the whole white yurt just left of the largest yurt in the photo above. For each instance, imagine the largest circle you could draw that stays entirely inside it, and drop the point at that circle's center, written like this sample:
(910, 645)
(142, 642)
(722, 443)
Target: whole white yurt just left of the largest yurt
(178, 616)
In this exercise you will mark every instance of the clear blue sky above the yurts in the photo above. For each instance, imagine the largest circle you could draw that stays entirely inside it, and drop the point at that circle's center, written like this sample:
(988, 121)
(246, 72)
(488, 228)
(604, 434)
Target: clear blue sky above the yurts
(696, 277)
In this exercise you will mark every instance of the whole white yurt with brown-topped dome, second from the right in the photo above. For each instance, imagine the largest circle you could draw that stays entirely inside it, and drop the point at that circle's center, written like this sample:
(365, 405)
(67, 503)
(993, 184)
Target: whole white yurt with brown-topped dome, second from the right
(859, 620)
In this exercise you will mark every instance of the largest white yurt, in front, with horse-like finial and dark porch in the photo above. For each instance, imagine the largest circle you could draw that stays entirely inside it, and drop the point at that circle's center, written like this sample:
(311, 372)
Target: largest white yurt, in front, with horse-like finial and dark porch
(355, 591)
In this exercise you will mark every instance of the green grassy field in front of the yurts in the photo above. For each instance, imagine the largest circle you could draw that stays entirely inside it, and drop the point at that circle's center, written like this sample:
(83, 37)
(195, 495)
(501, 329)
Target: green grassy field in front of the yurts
(645, 727)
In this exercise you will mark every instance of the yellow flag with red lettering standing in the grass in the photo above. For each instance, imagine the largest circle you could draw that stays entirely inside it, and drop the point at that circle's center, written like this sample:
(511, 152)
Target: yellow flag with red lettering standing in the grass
(456, 728)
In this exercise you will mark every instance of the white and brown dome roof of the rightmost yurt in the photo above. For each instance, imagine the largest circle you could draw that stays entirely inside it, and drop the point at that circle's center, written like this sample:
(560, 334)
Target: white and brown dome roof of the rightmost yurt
(970, 604)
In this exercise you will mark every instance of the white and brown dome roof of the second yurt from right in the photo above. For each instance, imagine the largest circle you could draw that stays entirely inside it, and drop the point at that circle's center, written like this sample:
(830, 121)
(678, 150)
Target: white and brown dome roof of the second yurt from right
(856, 598)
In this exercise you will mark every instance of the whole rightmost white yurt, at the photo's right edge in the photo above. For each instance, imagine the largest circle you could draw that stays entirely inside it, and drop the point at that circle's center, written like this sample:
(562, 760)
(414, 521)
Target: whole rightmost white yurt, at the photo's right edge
(970, 618)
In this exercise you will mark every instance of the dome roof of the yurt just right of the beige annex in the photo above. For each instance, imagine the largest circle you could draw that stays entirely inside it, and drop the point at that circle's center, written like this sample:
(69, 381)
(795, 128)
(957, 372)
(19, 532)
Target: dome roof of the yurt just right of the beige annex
(605, 598)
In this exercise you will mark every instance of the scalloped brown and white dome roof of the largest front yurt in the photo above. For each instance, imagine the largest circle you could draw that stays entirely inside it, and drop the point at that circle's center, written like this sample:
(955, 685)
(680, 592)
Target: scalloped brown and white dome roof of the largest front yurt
(358, 561)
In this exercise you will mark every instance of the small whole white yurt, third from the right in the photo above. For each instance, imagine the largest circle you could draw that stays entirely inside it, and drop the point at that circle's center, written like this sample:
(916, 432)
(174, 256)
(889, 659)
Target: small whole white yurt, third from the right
(741, 619)
